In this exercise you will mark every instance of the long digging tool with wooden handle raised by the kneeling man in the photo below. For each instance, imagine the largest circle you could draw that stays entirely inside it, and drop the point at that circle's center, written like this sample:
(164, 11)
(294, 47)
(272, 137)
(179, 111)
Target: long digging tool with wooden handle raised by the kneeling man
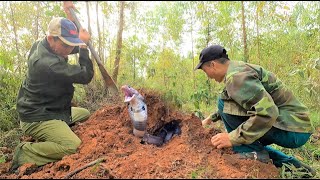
(108, 81)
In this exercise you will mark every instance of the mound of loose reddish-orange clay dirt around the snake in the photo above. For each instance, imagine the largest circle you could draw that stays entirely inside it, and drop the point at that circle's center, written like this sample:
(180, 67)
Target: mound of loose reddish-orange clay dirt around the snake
(108, 134)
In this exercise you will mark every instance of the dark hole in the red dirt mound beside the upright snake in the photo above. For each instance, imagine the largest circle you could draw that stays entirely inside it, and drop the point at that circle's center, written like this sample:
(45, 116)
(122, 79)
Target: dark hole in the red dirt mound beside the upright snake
(163, 134)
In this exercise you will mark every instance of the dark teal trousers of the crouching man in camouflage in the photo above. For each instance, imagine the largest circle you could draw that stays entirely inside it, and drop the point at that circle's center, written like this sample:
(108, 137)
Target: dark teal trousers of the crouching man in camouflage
(277, 136)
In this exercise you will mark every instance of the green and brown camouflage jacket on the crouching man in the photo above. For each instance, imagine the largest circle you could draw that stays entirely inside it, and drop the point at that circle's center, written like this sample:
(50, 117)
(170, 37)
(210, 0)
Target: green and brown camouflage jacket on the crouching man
(250, 90)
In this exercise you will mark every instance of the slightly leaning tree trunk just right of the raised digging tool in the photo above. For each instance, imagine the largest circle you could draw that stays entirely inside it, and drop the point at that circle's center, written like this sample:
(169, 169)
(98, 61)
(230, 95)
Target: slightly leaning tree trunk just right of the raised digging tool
(119, 42)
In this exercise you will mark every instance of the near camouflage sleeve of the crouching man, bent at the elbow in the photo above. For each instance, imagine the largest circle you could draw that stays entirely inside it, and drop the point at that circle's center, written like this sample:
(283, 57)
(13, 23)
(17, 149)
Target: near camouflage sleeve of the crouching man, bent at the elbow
(245, 88)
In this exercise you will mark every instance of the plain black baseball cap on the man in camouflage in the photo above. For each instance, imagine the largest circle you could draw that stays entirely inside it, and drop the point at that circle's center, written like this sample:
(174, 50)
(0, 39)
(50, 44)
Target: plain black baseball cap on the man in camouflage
(211, 53)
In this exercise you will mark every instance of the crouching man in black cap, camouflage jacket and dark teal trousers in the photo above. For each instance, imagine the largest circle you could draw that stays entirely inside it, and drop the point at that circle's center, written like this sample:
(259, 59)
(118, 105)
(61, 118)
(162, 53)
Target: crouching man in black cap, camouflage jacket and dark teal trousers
(256, 109)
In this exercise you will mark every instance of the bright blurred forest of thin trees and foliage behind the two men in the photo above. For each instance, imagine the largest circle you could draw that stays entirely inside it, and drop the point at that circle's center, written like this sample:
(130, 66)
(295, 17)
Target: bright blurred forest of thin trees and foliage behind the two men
(155, 45)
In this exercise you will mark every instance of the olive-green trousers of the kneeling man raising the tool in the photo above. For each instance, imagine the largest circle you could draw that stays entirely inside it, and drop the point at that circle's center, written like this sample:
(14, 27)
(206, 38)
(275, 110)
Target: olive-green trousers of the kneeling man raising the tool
(54, 138)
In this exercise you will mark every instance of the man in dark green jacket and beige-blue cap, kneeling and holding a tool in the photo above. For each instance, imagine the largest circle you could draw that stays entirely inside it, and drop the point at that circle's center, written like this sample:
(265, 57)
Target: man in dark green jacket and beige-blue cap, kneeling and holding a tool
(44, 99)
